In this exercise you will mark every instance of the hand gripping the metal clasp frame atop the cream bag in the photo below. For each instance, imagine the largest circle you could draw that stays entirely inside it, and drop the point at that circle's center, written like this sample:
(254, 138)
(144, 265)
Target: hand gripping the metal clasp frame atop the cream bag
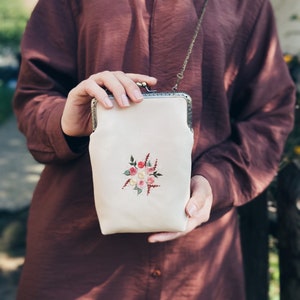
(76, 118)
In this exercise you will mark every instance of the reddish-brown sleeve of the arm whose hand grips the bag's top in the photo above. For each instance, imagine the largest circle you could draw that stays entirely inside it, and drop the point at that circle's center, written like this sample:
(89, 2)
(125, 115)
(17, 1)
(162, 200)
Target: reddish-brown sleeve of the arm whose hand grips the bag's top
(48, 72)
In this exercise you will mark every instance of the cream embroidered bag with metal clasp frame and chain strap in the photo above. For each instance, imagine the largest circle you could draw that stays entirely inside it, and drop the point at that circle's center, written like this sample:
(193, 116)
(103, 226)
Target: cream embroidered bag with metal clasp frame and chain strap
(141, 161)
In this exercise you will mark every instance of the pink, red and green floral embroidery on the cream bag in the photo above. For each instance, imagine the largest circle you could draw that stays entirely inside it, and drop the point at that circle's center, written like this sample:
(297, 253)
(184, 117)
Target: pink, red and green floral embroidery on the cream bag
(142, 175)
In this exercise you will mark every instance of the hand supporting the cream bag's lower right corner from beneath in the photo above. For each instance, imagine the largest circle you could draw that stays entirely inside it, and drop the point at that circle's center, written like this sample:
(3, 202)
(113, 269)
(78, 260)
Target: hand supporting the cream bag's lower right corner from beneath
(198, 210)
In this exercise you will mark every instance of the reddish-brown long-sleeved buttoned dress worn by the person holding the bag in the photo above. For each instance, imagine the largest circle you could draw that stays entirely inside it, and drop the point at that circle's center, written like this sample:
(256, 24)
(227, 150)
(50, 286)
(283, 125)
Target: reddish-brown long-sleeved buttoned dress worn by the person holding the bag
(243, 101)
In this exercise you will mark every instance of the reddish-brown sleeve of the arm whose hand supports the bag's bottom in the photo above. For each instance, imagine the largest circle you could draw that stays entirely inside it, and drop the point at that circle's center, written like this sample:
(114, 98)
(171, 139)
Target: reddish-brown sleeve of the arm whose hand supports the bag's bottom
(261, 115)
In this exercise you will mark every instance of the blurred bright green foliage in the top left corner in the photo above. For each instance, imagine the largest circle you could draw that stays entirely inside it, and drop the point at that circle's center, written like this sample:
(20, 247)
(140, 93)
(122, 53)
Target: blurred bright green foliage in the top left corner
(13, 18)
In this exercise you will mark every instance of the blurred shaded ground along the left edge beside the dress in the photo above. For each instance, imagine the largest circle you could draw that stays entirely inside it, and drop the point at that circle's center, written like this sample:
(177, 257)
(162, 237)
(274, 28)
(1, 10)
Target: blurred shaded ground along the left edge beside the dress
(18, 176)
